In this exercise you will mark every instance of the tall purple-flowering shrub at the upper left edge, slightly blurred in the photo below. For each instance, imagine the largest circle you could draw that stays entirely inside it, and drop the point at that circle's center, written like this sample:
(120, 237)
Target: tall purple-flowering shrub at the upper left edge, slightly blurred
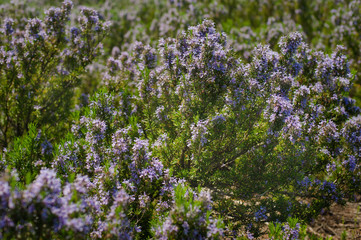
(40, 65)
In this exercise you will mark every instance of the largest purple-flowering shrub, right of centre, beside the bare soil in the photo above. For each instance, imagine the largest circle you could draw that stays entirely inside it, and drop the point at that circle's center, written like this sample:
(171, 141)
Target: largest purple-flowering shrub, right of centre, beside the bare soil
(269, 124)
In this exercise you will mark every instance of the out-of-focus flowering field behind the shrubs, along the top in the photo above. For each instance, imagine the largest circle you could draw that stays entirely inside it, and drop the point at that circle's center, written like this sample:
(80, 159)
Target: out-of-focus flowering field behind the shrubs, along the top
(323, 23)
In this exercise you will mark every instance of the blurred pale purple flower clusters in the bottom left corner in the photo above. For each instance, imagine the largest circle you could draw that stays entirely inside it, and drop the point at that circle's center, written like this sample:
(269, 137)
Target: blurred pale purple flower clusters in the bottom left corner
(44, 208)
